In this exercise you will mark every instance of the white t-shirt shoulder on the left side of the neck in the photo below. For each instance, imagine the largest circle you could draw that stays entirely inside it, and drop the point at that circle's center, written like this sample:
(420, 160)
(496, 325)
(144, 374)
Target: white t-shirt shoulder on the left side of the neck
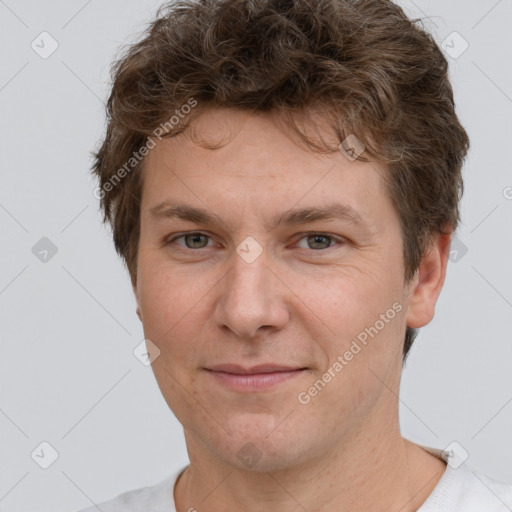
(157, 498)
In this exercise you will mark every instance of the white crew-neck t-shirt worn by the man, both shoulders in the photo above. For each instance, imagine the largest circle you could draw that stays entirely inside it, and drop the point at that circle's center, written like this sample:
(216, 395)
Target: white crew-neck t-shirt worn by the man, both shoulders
(459, 489)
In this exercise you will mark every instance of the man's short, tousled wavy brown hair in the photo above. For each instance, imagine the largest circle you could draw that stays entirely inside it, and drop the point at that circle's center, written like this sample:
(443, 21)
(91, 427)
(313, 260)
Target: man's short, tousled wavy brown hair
(378, 74)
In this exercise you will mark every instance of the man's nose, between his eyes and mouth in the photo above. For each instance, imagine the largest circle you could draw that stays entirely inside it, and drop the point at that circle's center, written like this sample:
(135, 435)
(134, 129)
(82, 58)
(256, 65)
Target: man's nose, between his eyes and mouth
(251, 298)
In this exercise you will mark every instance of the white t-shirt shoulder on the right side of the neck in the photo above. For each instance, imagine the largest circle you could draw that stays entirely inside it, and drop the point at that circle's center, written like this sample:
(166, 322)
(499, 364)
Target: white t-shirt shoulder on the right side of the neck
(470, 491)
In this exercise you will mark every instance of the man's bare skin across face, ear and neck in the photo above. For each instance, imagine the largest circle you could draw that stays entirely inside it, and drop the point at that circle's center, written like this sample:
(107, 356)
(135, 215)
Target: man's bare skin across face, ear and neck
(300, 303)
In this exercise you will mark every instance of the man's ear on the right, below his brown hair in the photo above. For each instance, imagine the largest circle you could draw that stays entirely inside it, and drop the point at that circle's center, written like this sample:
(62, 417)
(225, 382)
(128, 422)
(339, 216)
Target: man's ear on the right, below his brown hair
(428, 282)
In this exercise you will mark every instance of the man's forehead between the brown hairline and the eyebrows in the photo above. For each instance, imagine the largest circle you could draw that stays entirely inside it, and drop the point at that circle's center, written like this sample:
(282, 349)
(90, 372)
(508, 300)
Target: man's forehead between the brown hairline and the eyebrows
(248, 161)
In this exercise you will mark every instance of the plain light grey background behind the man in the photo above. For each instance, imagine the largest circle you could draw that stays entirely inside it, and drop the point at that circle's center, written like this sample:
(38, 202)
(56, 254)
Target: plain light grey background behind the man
(68, 325)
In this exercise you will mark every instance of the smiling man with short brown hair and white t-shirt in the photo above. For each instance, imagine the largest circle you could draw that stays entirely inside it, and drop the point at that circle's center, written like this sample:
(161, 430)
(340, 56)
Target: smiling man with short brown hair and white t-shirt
(282, 179)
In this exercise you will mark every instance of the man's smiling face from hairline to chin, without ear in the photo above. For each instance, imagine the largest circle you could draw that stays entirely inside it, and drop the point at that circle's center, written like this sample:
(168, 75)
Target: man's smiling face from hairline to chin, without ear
(244, 289)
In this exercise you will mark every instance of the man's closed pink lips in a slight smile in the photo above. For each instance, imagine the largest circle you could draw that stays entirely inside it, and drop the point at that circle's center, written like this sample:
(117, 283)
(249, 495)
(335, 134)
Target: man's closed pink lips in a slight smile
(256, 378)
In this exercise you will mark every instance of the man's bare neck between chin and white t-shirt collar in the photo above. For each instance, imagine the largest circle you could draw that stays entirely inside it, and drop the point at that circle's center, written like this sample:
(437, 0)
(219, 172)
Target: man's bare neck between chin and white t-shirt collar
(380, 473)
